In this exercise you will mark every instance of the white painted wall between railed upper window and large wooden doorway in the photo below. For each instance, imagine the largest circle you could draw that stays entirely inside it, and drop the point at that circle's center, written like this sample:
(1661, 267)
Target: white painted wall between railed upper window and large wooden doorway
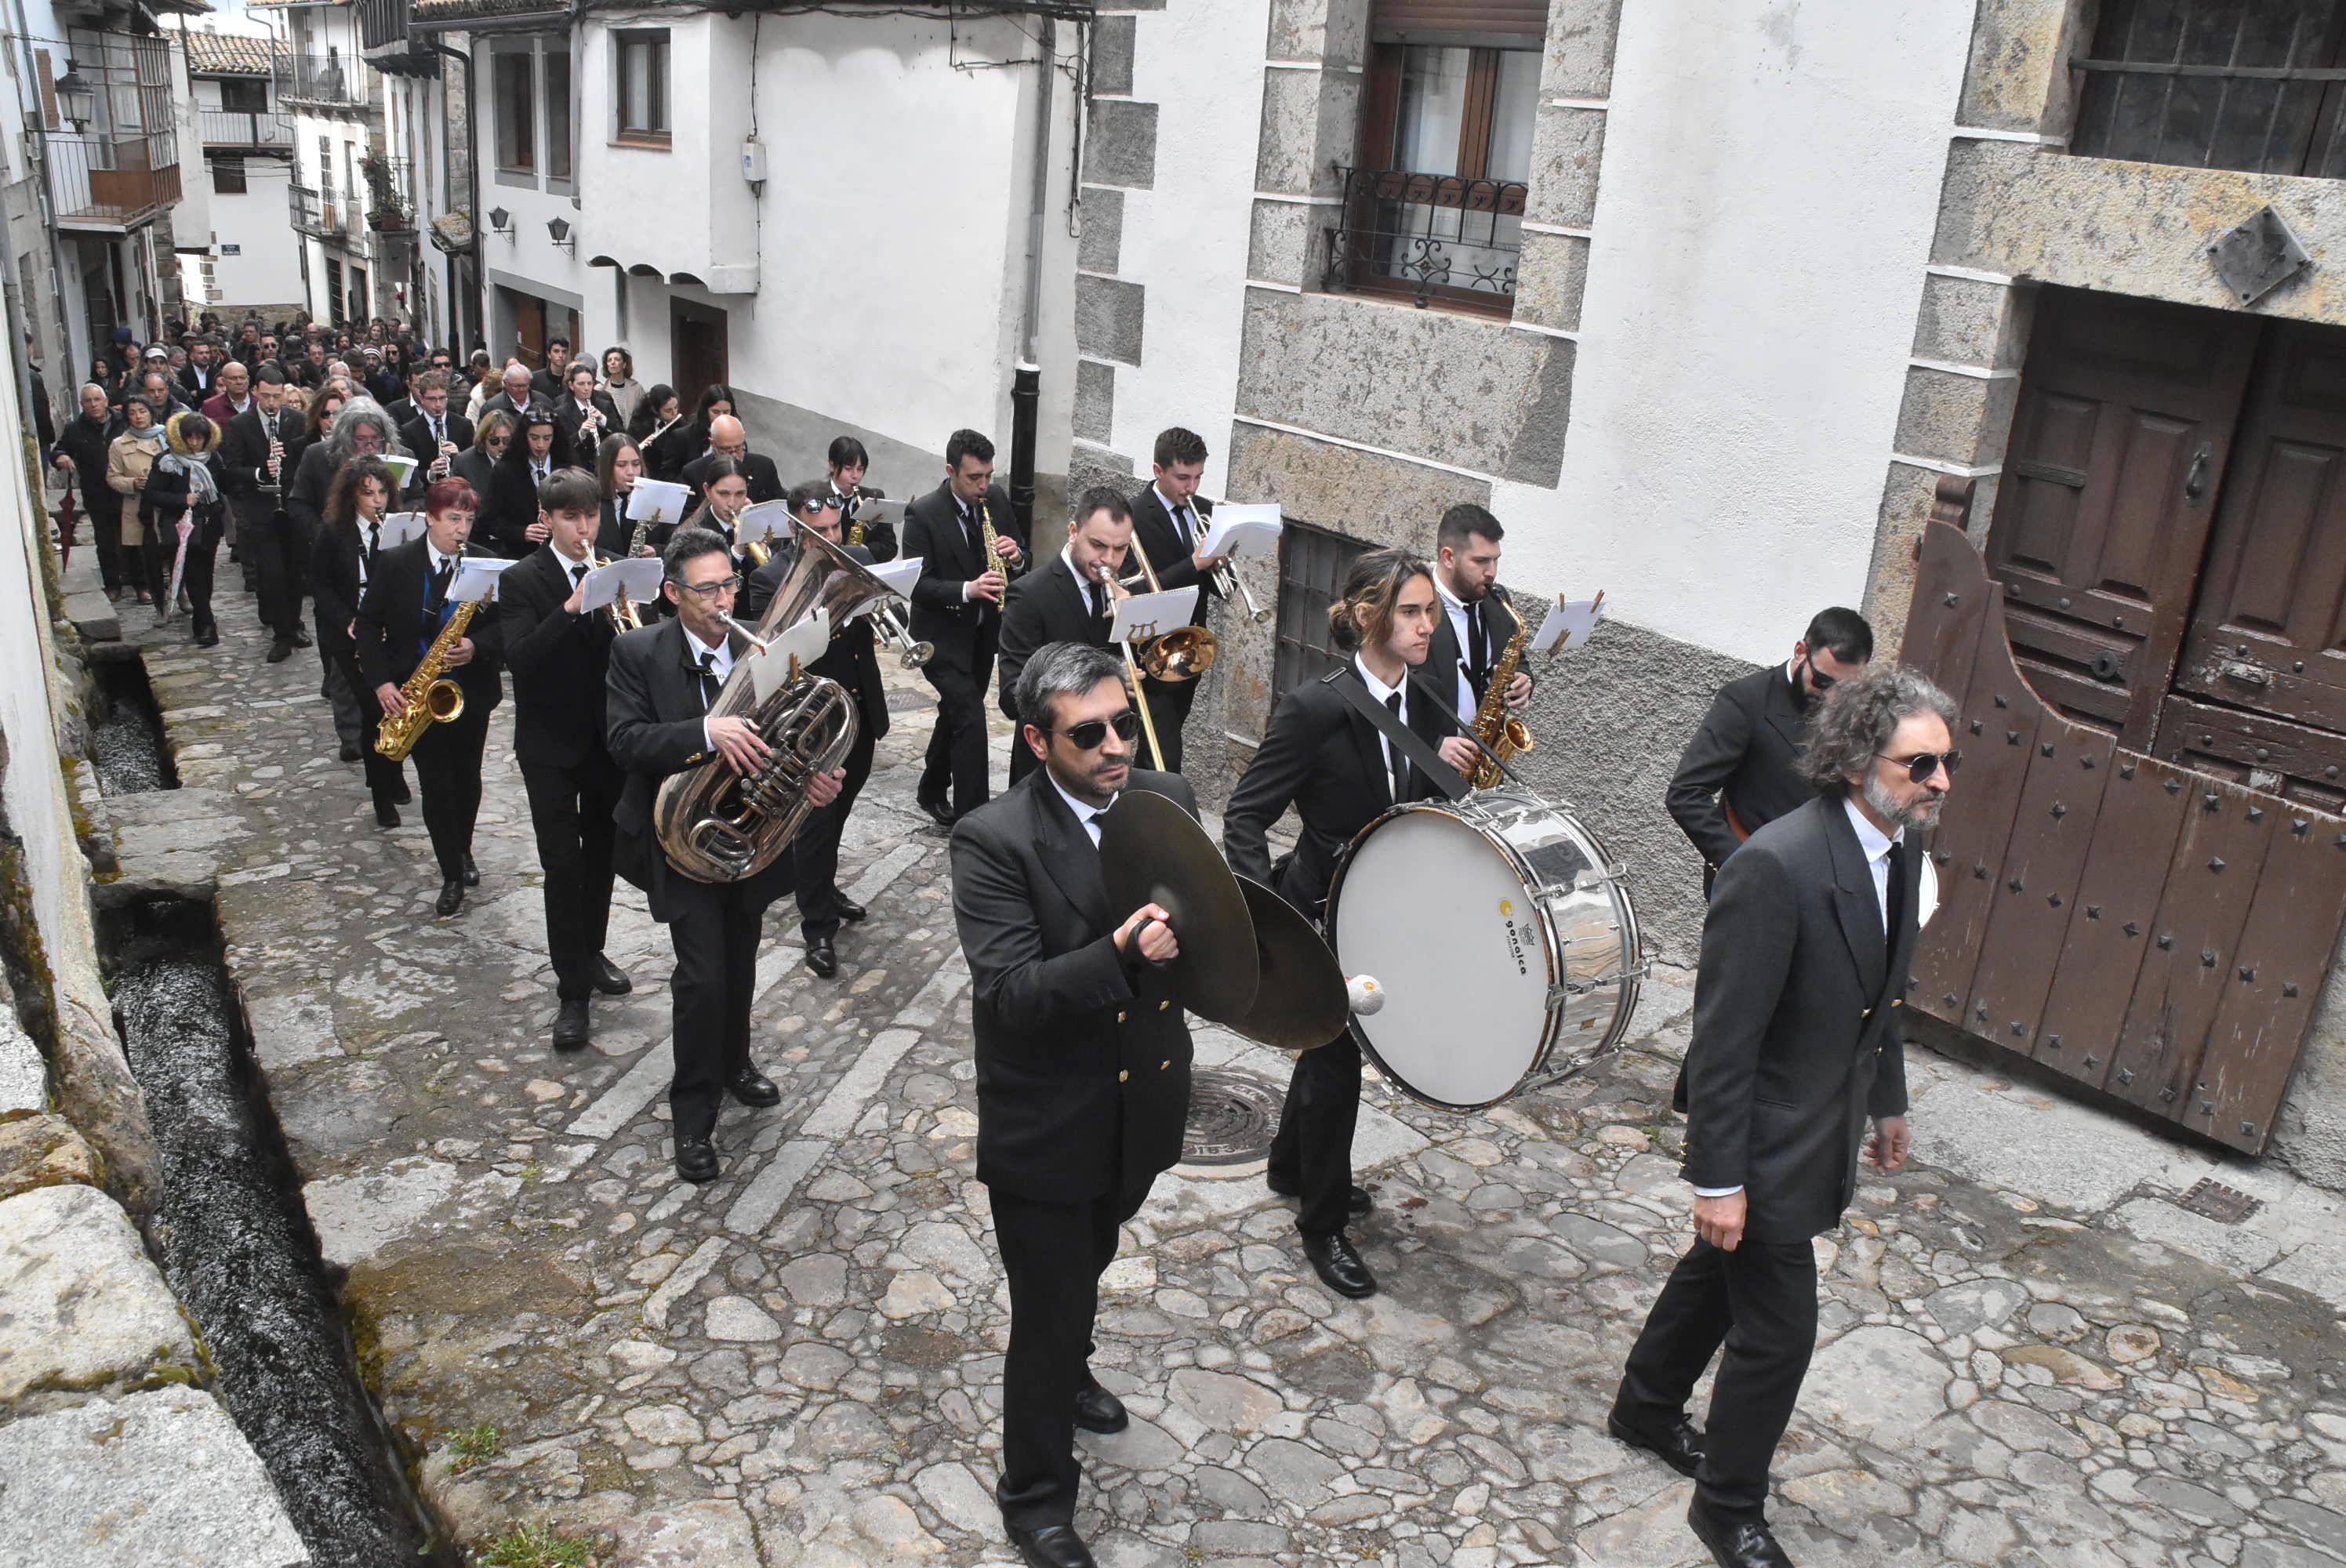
(1763, 222)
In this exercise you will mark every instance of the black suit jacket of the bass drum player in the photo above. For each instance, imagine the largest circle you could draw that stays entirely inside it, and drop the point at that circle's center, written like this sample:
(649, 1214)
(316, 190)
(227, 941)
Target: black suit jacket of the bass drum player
(1327, 762)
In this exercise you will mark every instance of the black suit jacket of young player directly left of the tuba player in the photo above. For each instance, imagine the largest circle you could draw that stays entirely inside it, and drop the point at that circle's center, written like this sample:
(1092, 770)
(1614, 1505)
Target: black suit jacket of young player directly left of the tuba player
(560, 663)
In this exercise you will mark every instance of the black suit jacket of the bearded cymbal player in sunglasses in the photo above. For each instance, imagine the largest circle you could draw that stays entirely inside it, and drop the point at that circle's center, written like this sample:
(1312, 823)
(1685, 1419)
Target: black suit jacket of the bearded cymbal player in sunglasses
(1083, 1053)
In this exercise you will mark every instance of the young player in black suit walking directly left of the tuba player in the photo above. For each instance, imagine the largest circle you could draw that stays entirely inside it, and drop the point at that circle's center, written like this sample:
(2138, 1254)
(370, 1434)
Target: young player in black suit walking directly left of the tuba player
(560, 656)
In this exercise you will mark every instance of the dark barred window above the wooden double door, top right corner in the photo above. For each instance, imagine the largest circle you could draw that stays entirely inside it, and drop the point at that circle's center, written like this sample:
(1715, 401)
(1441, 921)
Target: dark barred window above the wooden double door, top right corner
(2216, 86)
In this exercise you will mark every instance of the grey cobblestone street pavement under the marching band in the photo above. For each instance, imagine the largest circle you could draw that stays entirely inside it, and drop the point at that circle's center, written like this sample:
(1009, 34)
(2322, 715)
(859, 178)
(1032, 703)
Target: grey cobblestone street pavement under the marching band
(2030, 1356)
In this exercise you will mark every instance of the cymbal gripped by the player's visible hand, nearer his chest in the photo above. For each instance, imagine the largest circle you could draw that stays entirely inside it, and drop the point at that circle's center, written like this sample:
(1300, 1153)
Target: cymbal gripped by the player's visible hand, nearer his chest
(1155, 853)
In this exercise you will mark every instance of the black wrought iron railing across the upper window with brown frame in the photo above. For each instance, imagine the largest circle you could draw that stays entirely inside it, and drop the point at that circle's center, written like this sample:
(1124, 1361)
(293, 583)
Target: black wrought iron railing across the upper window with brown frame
(1439, 238)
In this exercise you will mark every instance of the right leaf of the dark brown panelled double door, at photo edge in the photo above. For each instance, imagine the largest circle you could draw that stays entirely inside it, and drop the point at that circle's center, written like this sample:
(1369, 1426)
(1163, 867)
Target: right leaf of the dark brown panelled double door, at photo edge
(2263, 680)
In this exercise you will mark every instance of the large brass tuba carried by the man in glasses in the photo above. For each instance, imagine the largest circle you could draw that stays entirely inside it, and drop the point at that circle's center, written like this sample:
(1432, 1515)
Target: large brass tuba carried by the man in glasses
(724, 827)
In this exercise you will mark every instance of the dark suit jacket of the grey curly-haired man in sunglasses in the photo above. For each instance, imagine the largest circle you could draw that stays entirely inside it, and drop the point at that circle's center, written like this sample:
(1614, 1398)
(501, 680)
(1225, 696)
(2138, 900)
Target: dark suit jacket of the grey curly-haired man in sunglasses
(1798, 1008)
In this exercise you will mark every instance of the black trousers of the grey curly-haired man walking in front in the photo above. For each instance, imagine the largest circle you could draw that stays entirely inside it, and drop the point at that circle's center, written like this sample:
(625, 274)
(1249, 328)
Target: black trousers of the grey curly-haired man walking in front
(1761, 1304)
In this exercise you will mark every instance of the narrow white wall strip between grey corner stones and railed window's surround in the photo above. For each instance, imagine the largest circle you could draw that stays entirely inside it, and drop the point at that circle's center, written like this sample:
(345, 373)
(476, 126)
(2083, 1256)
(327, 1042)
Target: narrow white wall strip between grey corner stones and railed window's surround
(1186, 241)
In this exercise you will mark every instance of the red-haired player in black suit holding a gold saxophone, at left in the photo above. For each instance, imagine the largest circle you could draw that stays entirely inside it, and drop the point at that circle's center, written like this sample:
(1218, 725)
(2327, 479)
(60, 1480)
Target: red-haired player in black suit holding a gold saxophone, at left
(400, 614)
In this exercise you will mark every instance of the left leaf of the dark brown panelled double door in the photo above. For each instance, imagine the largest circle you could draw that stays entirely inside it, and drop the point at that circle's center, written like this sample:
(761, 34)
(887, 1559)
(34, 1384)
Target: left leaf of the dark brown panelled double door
(2120, 445)
